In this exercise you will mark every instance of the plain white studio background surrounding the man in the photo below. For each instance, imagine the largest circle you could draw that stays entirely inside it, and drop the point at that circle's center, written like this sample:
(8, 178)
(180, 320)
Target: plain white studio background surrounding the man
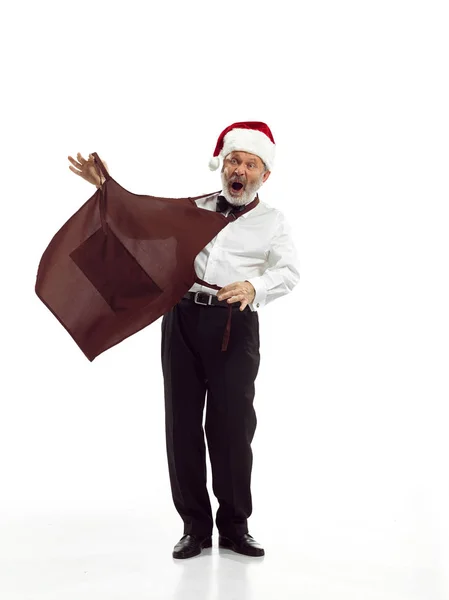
(350, 478)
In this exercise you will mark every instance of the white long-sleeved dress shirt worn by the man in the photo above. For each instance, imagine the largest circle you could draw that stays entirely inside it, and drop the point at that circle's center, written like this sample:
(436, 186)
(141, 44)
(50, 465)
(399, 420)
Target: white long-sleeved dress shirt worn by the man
(256, 247)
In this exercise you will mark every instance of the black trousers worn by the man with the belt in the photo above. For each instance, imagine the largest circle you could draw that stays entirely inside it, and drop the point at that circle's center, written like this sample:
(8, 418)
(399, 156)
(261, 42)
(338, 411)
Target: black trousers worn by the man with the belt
(194, 366)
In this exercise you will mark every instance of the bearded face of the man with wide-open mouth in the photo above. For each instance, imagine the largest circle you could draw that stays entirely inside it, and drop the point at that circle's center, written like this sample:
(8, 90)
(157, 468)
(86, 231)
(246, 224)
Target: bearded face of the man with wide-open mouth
(242, 175)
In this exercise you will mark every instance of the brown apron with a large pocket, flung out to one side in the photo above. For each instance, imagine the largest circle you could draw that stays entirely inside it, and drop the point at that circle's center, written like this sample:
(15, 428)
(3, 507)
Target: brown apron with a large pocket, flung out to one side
(122, 261)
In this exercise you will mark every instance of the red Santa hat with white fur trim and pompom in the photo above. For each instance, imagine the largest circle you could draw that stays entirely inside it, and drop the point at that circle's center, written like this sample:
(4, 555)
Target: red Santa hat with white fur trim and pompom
(249, 136)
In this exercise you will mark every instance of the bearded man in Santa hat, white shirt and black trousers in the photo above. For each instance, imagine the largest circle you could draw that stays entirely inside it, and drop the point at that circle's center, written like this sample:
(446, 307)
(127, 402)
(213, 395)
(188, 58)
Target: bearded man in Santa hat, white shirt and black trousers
(254, 261)
